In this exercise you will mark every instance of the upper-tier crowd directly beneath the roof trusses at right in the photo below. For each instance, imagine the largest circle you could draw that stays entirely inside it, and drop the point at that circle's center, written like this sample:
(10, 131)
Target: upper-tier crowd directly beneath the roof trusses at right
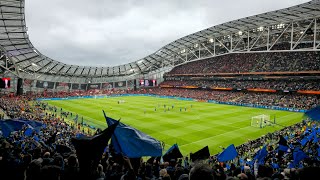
(253, 62)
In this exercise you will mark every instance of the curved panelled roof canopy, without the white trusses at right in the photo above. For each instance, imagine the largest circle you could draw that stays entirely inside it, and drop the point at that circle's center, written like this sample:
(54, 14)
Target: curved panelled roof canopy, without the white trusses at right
(25, 57)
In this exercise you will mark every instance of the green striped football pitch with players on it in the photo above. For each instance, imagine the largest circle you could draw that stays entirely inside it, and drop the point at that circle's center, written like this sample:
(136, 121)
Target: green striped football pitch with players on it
(201, 124)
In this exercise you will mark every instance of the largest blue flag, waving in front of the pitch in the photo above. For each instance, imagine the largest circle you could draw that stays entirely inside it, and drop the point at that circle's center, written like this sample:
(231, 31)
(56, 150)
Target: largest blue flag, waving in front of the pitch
(132, 142)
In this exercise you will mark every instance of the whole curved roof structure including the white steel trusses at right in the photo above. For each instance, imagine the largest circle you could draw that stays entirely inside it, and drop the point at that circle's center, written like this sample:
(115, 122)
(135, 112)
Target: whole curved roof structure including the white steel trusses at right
(294, 25)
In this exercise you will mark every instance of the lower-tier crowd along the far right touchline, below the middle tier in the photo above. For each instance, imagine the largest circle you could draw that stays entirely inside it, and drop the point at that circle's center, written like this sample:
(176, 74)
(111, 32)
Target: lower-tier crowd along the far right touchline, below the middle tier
(268, 99)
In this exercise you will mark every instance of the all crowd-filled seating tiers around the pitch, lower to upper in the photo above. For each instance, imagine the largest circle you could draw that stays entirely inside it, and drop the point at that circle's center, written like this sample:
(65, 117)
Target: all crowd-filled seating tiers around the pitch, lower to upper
(39, 156)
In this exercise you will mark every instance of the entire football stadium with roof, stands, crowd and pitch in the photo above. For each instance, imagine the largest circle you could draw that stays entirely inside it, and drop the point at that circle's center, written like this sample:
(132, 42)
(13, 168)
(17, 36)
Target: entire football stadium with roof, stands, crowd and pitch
(238, 100)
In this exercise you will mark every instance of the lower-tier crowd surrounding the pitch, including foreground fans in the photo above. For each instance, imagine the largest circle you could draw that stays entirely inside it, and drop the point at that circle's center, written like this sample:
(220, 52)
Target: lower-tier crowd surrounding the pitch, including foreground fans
(38, 156)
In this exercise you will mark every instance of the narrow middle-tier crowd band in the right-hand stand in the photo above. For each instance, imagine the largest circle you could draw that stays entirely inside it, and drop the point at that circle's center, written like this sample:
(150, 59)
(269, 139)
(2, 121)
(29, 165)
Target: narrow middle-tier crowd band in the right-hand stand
(266, 84)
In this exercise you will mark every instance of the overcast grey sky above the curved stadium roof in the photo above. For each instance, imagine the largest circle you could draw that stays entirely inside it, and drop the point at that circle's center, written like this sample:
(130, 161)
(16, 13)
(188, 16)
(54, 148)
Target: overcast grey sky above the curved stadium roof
(108, 33)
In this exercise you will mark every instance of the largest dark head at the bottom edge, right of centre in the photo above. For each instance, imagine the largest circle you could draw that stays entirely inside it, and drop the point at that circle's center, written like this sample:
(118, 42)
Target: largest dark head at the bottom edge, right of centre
(201, 171)
